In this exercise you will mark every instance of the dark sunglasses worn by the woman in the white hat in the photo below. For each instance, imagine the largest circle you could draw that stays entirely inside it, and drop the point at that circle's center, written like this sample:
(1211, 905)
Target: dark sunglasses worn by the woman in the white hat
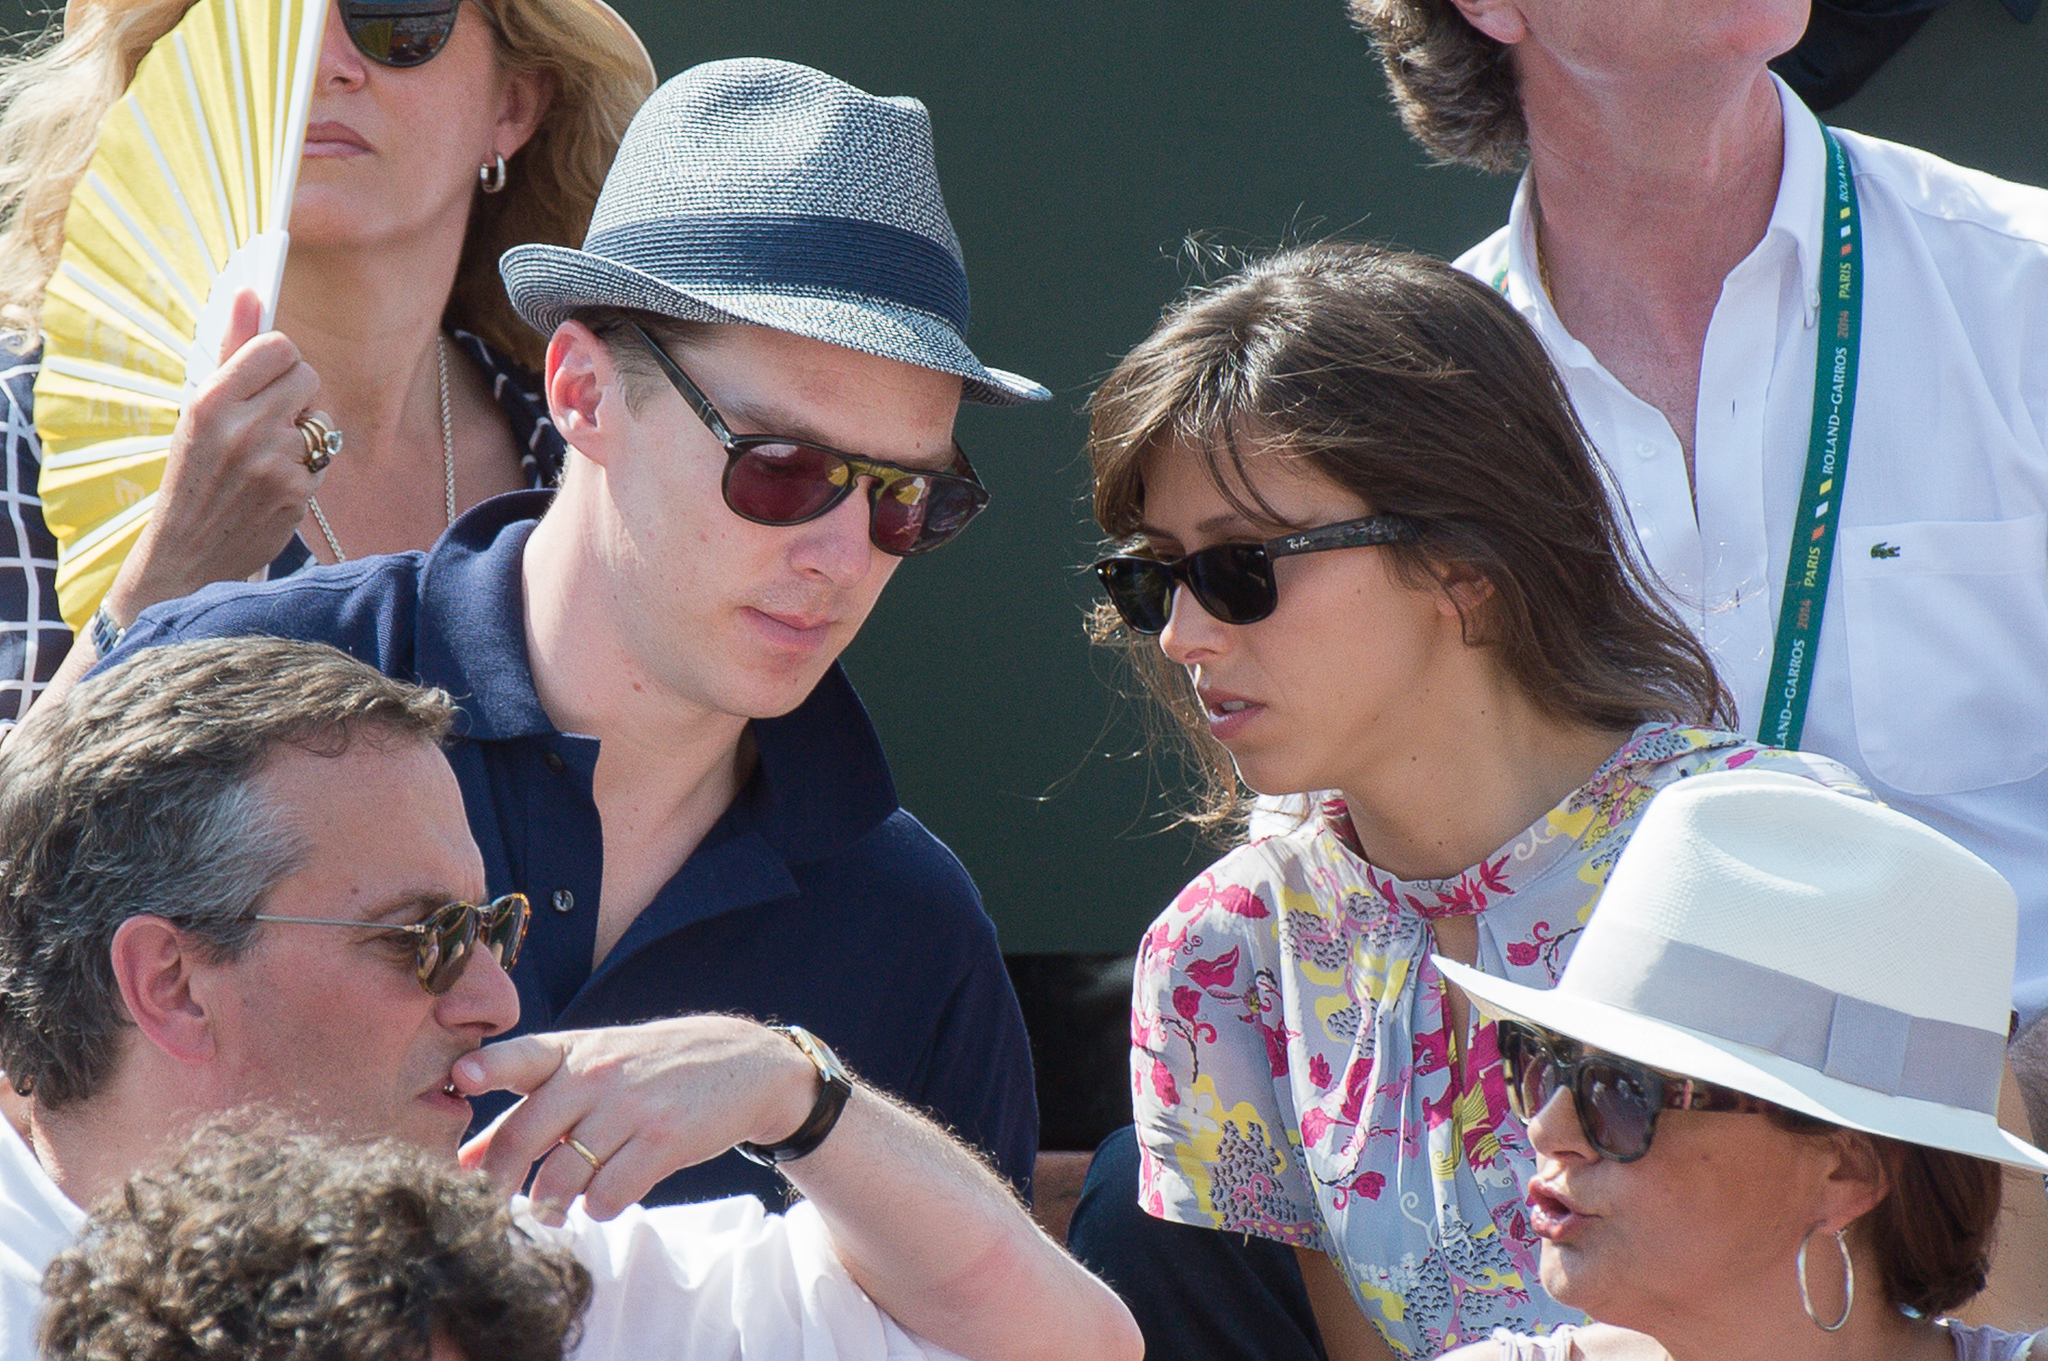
(1617, 1100)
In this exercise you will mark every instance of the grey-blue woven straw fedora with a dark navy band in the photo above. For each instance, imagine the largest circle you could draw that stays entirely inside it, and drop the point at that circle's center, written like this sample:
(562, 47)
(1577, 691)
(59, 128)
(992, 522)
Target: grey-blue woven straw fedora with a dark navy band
(765, 193)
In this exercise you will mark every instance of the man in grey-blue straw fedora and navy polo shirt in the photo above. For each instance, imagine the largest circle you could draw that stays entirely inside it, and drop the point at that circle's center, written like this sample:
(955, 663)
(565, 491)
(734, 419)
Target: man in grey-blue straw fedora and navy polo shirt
(757, 361)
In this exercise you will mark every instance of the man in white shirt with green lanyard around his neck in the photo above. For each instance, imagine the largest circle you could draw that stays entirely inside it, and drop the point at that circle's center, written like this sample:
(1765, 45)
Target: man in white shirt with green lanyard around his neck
(1668, 245)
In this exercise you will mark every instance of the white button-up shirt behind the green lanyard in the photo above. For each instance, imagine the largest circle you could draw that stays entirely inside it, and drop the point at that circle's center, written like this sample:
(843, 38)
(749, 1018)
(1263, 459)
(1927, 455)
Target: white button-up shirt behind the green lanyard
(1932, 674)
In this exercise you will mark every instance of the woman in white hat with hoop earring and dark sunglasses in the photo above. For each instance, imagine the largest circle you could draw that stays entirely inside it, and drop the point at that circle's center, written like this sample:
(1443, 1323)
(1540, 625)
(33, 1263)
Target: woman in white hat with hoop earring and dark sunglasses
(1766, 1094)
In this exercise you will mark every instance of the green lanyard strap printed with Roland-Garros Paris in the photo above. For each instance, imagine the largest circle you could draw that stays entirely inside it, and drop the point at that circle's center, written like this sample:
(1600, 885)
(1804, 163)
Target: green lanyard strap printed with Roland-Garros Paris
(1828, 457)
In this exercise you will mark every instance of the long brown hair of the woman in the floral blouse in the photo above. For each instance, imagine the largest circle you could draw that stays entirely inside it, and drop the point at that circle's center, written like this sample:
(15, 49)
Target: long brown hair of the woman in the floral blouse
(1422, 394)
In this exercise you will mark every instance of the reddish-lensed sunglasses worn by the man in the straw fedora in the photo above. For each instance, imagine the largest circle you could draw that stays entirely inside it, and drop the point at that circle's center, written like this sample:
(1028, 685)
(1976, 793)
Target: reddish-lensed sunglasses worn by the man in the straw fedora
(777, 480)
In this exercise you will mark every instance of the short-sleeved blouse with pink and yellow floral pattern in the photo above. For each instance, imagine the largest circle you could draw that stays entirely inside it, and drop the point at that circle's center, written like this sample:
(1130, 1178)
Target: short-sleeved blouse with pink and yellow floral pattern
(1293, 1065)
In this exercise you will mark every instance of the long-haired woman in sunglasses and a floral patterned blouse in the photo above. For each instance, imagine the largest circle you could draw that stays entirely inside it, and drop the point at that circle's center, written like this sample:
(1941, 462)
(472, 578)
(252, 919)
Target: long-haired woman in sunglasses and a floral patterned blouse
(1365, 554)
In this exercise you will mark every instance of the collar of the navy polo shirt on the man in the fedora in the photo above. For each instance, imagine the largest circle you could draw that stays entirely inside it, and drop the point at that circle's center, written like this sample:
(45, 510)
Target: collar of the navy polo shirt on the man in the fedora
(822, 781)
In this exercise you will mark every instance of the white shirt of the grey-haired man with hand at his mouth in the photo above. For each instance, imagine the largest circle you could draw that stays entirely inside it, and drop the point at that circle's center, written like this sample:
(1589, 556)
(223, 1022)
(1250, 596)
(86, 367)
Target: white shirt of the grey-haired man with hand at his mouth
(716, 1282)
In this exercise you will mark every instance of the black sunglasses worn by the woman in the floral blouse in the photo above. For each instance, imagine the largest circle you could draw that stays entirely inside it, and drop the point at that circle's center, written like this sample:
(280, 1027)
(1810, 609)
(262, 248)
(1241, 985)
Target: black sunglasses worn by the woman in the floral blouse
(1234, 582)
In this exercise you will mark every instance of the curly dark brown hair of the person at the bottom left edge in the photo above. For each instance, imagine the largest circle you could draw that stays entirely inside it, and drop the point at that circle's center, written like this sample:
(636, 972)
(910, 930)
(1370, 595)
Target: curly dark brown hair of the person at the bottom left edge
(296, 1247)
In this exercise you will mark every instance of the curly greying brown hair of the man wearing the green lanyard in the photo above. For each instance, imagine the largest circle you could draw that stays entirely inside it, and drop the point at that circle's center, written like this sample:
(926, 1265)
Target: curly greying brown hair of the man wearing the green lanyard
(1453, 87)
